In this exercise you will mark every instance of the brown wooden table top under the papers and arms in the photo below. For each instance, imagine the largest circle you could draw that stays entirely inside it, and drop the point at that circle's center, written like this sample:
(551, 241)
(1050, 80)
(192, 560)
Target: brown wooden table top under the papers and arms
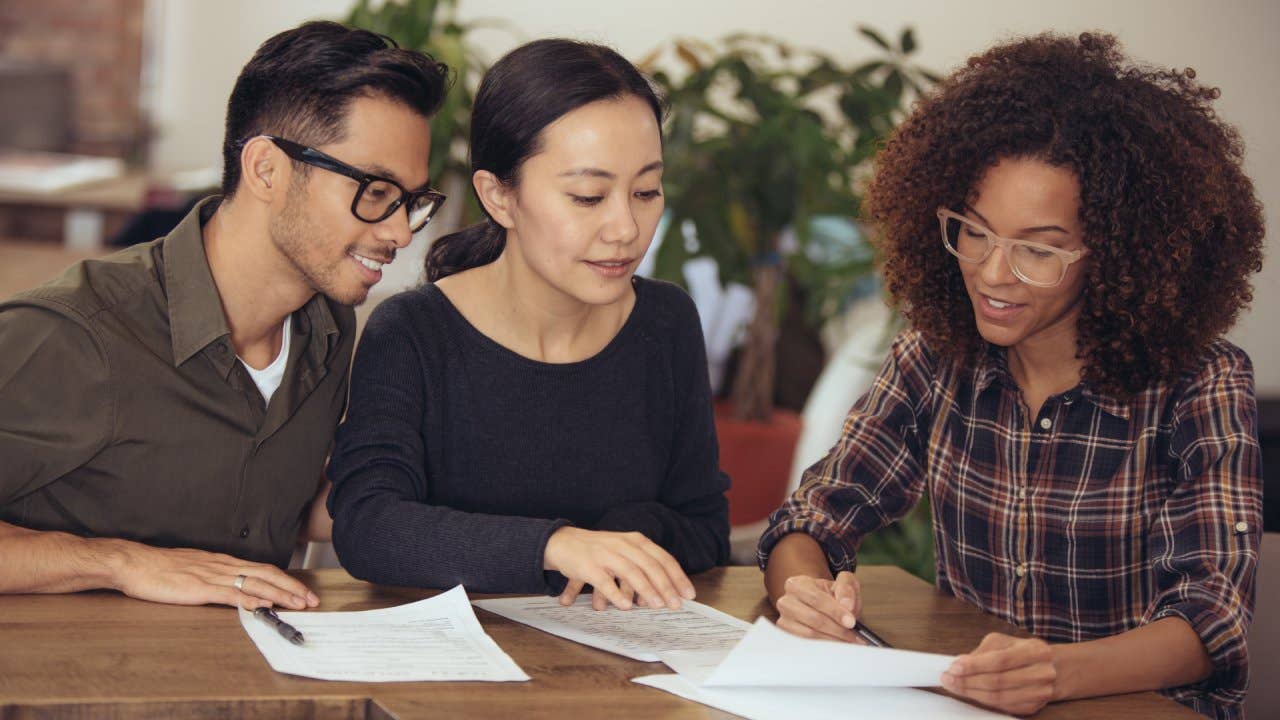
(103, 655)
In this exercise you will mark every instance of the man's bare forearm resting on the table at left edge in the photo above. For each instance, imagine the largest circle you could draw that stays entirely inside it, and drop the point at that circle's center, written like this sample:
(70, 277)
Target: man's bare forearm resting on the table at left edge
(34, 562)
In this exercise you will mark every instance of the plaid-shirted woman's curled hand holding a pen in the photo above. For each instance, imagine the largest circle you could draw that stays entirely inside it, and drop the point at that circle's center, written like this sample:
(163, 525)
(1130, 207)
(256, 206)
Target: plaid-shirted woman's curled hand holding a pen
(815, 608)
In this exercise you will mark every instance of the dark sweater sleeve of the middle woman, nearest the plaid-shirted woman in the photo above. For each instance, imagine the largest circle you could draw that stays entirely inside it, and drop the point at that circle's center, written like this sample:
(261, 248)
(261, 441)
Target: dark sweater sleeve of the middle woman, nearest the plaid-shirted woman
(691, 518)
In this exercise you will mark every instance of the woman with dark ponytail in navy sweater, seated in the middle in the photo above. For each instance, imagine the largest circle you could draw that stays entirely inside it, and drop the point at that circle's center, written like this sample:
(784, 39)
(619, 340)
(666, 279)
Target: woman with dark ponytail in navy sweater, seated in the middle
(536, 418)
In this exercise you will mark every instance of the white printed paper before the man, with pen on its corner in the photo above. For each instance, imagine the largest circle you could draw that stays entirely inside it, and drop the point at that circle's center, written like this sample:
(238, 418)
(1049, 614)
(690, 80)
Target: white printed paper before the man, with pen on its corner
(432, 640)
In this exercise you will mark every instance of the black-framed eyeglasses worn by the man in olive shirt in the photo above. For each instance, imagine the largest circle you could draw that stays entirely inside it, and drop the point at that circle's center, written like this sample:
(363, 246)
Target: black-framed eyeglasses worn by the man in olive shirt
(377, 198)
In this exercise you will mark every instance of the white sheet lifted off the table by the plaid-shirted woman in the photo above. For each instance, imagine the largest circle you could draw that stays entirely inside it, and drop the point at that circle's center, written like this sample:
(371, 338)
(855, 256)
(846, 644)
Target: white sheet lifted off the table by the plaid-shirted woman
(772, 658)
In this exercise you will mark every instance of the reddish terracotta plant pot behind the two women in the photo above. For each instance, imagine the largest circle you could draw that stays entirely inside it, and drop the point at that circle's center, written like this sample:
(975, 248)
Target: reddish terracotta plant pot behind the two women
(758, 461)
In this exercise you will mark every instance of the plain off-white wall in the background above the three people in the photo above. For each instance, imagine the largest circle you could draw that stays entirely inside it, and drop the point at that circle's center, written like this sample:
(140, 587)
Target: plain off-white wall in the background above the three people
(1232, 45)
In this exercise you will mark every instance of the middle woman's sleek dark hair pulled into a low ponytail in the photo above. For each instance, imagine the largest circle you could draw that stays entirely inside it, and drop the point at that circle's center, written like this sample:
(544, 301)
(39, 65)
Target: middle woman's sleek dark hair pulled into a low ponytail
(529, 89)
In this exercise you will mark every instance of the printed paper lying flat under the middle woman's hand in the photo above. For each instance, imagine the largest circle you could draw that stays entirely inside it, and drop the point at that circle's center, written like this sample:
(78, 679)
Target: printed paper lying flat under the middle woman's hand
(639, 634)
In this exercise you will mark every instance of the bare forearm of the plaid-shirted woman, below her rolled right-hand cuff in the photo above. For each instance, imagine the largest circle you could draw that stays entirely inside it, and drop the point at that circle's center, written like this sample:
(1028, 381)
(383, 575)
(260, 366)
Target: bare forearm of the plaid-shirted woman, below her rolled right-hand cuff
(1165, 654)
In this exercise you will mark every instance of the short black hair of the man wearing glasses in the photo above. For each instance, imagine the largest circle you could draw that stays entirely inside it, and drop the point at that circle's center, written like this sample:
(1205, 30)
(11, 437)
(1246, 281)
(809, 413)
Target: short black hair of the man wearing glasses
(301, 83)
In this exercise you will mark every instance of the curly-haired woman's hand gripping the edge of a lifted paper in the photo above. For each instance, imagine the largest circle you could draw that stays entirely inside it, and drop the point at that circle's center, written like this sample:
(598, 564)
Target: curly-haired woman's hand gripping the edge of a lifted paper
(1005, 673)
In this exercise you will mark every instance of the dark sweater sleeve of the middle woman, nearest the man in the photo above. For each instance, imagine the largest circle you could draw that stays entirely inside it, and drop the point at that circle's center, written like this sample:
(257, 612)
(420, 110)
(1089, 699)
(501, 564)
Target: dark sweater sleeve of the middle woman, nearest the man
(383, 528)
